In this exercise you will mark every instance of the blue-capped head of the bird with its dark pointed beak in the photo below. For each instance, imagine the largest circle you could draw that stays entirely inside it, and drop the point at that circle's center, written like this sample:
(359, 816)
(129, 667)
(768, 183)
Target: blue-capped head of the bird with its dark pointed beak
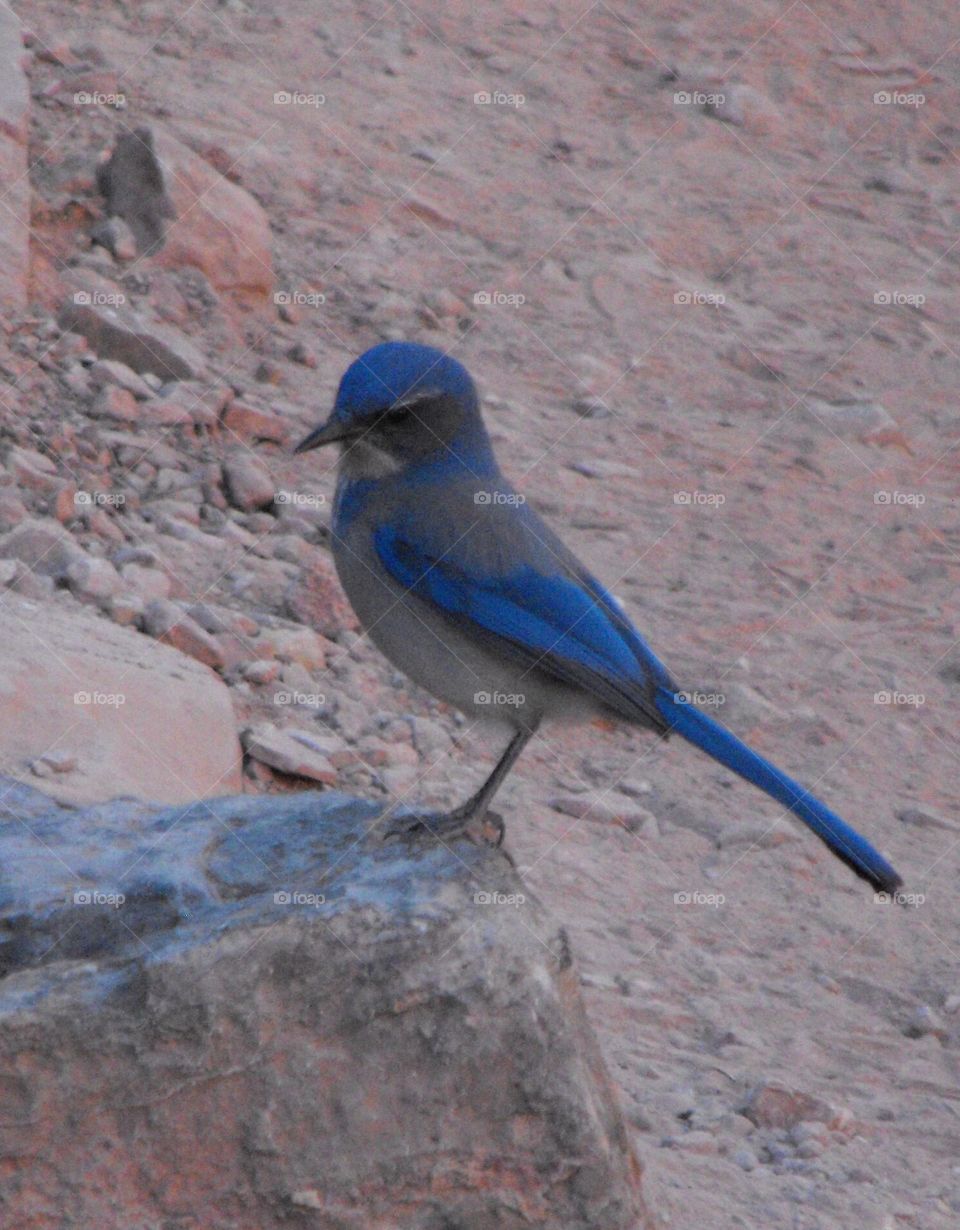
(402, 404)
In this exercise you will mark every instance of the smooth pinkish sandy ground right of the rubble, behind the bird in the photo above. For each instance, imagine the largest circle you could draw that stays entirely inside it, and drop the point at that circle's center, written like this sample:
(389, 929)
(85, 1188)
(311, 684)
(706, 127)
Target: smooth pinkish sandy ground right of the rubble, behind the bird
(719, 351)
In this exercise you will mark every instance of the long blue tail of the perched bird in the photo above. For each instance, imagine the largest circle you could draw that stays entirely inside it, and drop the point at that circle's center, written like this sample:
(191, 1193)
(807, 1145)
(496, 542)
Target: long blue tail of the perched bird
(723, 746)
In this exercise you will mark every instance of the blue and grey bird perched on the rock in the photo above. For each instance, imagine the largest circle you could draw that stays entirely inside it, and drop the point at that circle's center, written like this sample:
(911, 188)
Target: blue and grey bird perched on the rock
(467, 591)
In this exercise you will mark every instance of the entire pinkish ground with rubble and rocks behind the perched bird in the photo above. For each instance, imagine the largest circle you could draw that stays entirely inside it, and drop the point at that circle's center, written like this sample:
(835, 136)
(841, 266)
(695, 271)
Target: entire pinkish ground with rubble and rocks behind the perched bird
(703, 263)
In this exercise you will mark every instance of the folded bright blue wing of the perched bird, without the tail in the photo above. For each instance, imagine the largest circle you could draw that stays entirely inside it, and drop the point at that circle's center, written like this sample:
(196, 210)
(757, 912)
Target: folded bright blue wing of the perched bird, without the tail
(561, 623)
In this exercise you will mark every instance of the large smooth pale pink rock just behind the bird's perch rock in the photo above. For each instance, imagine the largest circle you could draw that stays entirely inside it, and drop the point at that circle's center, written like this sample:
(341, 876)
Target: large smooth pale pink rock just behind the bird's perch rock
(141, 718)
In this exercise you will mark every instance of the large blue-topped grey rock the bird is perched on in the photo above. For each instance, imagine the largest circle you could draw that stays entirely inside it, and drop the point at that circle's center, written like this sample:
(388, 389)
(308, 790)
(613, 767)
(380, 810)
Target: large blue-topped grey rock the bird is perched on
(253, 1013)
